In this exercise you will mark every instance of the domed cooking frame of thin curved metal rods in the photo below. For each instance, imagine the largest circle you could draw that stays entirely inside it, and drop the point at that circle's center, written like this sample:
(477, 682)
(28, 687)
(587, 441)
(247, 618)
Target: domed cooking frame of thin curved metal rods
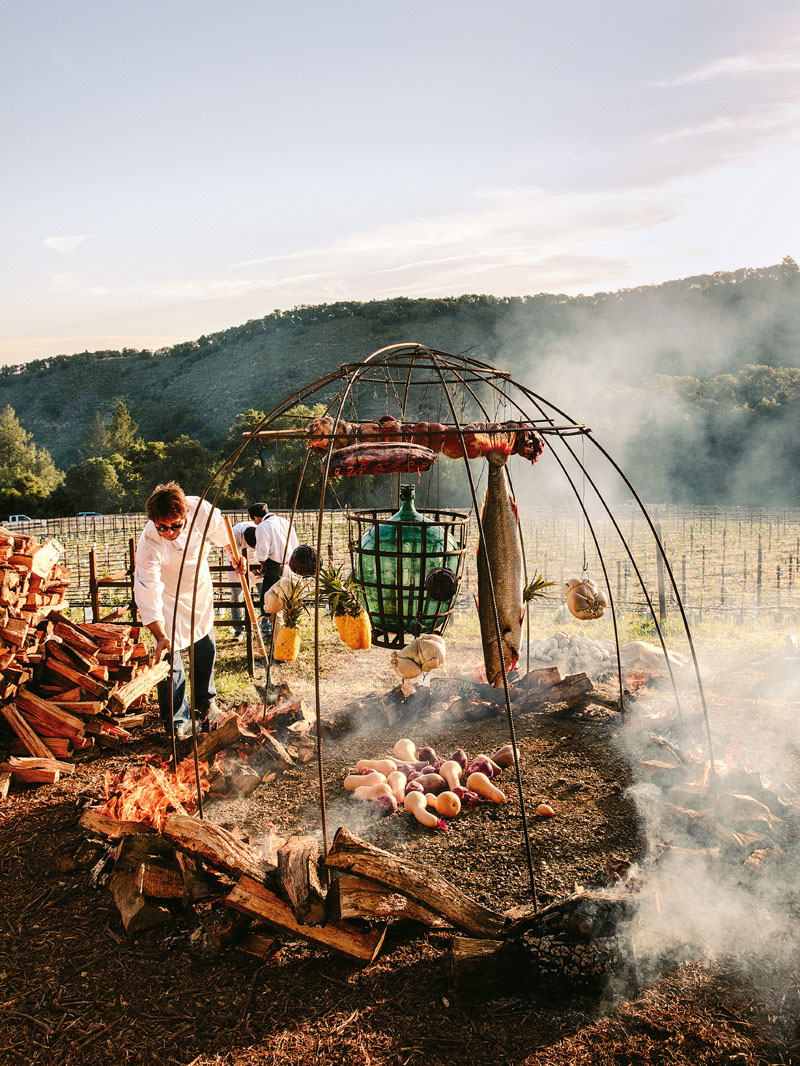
(455, 377)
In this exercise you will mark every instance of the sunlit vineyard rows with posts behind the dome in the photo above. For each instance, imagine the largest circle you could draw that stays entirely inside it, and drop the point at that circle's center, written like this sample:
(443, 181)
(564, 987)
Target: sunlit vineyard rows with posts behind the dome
(738, 563)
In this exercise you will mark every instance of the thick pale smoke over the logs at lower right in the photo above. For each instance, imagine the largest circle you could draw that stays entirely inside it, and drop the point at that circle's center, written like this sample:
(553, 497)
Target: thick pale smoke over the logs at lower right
(721, 879)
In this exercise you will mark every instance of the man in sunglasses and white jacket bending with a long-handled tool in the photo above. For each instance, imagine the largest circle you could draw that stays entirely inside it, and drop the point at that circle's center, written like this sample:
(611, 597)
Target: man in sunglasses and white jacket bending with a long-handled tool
(163, 547)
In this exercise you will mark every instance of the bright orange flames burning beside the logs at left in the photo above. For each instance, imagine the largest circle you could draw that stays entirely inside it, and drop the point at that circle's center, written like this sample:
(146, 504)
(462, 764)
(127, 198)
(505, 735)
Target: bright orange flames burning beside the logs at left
(150, 792)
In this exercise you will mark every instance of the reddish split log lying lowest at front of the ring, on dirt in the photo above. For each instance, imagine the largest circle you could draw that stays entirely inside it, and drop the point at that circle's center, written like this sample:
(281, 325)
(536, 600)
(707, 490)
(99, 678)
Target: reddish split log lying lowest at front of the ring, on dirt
(252, 898)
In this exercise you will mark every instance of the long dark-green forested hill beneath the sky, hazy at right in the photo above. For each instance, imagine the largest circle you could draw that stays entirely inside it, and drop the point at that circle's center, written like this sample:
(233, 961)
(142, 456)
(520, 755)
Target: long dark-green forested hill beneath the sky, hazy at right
(701, 327)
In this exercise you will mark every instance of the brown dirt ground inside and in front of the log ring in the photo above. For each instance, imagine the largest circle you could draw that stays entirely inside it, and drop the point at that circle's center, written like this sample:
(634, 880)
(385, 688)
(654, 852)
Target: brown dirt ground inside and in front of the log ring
(74, 989)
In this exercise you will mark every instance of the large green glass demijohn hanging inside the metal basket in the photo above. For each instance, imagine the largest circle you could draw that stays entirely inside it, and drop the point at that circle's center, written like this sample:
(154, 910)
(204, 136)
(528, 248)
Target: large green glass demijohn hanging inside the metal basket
(395, 558)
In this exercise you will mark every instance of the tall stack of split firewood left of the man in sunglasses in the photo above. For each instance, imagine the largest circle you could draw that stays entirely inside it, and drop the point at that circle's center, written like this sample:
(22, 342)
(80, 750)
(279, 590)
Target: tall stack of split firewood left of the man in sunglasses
(65, 687)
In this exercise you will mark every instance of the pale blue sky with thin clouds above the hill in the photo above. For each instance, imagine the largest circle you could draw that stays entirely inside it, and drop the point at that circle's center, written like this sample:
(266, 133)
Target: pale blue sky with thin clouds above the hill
(174, 168)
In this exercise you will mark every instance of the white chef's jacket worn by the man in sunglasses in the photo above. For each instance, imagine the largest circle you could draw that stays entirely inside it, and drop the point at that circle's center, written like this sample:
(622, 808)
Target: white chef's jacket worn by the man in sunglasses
(156, 576)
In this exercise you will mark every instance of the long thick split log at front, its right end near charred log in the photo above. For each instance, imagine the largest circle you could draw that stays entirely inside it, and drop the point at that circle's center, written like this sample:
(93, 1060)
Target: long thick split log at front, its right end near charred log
(419, 883)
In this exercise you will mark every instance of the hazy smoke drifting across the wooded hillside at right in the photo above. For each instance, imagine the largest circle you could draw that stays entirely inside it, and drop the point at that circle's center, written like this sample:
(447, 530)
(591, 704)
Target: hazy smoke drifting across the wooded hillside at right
(659, 375)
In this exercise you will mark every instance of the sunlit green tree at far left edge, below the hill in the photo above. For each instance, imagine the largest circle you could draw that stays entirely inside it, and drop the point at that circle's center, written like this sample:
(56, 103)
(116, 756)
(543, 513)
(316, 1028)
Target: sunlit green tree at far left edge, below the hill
(28, 474)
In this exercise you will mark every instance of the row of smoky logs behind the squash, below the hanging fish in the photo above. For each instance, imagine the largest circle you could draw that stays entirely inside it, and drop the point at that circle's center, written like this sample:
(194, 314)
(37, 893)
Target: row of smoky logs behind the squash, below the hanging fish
(461, 700)
